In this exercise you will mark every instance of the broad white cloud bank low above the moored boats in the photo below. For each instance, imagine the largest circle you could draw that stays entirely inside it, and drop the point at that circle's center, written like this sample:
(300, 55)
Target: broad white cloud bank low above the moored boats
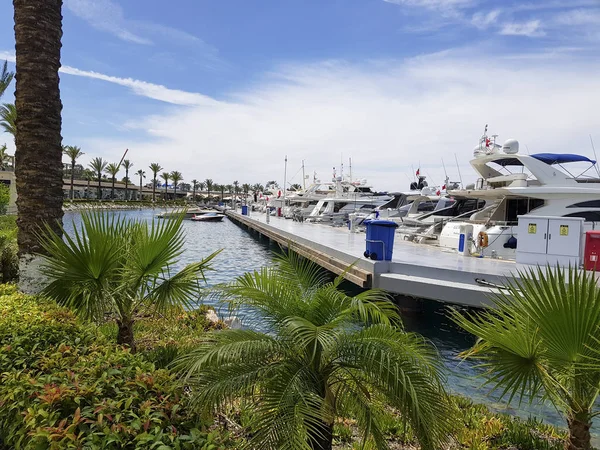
(387, 116)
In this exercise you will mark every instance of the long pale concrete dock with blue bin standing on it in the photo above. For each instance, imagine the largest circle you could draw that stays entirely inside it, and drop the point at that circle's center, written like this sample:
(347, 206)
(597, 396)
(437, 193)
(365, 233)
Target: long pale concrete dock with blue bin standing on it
(416, 270)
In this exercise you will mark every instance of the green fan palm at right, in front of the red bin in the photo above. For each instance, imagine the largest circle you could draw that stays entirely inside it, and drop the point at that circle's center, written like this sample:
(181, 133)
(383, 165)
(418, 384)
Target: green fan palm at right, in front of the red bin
(542, 339)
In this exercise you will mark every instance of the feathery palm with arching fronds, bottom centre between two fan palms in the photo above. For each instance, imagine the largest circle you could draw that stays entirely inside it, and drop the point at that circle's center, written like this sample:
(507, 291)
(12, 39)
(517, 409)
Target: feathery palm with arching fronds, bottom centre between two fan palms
(323, 355)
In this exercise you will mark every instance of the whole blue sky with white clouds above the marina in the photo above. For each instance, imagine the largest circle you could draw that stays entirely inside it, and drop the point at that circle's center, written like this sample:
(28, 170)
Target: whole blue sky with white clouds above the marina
(225, 89)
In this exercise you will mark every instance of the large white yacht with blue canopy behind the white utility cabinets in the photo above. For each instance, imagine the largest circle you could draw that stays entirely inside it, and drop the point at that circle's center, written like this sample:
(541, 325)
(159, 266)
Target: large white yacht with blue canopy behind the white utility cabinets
(513, 184)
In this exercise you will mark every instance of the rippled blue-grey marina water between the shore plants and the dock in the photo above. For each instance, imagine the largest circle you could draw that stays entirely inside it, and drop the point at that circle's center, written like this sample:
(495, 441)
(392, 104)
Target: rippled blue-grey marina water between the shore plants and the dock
(242, 252)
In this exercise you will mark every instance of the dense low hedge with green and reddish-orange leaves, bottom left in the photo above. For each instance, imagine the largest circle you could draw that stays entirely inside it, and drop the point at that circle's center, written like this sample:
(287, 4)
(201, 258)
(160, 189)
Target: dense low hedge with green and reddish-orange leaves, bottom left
(63, 385)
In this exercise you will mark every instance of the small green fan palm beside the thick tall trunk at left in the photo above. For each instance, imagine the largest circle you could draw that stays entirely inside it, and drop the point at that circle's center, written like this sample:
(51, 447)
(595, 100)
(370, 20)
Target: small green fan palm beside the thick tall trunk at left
(119, 267)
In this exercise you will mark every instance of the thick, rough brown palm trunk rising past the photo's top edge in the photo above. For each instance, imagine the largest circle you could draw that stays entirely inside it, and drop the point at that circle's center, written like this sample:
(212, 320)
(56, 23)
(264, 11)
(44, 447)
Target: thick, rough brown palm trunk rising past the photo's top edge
(38, 156)
